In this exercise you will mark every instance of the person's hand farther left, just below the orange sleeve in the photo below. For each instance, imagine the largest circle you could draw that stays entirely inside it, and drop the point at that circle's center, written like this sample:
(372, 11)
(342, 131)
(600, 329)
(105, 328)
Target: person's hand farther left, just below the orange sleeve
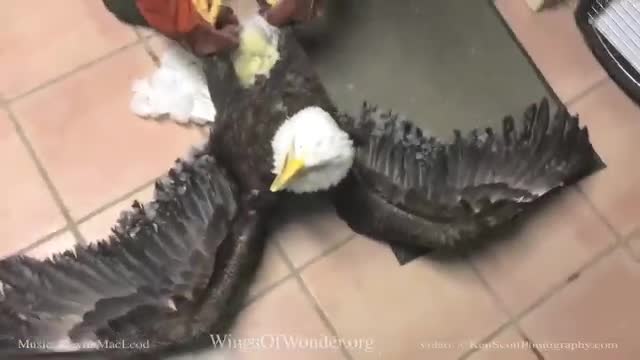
(206, 40)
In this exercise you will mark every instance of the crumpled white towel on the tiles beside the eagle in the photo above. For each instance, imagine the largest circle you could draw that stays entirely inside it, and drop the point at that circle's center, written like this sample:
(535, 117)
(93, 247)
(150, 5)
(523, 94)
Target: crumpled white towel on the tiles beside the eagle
(177, 89)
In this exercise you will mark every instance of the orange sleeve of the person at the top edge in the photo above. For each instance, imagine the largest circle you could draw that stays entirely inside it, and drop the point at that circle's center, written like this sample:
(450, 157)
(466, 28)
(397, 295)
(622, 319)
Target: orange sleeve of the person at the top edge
(171, 17)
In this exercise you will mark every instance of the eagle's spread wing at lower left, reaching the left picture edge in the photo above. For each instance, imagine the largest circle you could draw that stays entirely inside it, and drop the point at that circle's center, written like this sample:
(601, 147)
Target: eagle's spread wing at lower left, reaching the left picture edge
(171, 271)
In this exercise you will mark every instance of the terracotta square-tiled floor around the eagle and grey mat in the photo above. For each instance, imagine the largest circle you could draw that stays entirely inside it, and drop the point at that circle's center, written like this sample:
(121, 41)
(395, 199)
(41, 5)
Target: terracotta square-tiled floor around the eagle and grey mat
(74, 156)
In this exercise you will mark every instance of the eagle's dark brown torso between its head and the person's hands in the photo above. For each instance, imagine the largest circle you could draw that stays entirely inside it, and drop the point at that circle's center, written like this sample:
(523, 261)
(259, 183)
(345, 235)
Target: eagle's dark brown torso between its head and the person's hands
(249, 118)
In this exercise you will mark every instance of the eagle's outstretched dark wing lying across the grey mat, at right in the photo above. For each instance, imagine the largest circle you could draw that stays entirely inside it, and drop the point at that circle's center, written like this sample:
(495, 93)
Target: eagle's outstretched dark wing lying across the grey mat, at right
(419, 191)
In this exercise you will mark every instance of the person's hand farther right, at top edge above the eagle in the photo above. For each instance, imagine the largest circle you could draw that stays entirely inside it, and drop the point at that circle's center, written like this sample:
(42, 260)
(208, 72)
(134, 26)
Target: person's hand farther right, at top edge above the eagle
(285, 12)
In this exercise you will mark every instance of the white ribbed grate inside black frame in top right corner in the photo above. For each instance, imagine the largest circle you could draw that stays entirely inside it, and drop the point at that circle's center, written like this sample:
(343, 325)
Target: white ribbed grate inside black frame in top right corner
(619, 22)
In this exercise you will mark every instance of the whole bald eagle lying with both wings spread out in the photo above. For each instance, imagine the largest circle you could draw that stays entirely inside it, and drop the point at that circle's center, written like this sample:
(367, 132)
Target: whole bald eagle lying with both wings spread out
(176, 269)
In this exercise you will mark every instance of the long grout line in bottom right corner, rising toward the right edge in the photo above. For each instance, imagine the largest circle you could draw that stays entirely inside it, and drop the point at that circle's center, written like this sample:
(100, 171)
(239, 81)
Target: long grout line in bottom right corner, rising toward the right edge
(547, 295)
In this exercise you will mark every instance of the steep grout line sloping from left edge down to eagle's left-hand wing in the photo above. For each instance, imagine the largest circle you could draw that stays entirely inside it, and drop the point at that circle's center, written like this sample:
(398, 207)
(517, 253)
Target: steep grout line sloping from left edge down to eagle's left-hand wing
(53, 191)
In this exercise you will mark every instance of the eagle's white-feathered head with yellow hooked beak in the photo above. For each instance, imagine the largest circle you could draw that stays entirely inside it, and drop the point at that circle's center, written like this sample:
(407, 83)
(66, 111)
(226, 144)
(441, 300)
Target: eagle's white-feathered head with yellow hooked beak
(310, 152)
